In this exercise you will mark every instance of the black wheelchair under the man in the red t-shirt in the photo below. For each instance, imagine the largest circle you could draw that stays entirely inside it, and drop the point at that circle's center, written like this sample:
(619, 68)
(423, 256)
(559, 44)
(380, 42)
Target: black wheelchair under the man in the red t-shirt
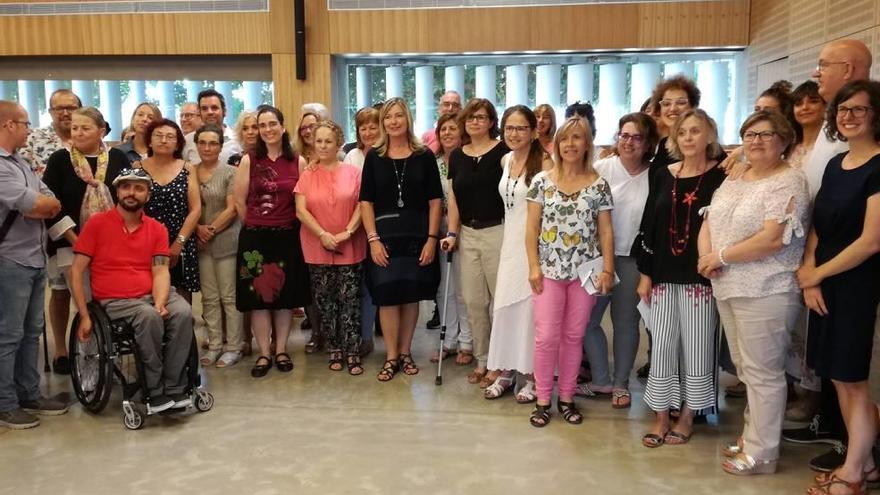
(112, 353)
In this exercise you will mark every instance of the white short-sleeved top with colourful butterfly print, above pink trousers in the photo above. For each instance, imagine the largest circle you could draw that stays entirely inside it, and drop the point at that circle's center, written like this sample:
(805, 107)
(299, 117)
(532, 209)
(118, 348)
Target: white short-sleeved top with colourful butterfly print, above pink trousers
(569, 225)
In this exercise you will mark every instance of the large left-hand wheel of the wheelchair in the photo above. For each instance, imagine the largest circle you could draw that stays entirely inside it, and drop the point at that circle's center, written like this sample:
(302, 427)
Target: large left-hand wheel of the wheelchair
(90, 366)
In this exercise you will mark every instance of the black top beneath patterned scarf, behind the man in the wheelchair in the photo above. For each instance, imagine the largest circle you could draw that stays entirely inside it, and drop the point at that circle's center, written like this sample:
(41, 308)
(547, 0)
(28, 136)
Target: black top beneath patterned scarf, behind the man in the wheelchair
(61, 178)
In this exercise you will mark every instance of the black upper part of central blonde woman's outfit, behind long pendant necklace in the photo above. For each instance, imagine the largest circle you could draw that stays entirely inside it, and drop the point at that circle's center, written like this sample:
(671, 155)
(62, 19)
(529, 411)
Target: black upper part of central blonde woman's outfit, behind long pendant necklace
(419, 176)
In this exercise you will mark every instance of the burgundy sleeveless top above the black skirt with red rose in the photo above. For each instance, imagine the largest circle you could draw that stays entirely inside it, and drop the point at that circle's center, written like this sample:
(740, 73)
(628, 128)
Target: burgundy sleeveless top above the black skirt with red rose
(270, 200)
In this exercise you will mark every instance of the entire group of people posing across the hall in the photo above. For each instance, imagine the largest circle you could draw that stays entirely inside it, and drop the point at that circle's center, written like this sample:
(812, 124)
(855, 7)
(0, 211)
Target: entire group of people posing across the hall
(542, 231)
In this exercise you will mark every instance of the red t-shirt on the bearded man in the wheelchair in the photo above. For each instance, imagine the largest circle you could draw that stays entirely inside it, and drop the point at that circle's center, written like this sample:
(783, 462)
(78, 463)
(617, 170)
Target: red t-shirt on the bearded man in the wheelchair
(122, 262)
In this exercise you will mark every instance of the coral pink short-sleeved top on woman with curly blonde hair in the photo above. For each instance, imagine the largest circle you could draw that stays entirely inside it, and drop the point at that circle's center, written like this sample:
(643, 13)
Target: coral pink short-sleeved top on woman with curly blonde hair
(331, 197)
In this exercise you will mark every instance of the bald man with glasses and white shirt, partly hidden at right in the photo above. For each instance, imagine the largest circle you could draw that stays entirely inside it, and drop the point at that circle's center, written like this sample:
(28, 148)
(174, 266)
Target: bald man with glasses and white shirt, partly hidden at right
(840, 62)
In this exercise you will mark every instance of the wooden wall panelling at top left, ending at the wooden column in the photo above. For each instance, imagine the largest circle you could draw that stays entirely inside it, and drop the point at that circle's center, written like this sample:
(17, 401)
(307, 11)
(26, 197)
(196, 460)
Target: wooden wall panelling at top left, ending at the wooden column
(136, 34)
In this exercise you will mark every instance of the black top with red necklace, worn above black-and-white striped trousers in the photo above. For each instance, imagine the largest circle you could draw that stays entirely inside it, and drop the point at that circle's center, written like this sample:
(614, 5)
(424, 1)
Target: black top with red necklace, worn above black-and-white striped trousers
(652, 247)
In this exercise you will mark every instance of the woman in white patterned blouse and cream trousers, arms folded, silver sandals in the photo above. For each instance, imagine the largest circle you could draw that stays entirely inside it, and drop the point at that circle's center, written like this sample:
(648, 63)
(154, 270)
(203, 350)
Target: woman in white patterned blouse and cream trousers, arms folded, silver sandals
(751, 245)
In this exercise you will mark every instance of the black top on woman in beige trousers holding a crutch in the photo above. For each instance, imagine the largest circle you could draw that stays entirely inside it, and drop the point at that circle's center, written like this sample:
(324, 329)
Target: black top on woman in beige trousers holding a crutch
(475, 183)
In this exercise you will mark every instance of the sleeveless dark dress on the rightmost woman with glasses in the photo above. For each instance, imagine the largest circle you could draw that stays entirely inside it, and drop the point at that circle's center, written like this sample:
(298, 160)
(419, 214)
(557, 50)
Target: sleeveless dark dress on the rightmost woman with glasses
(839, 345)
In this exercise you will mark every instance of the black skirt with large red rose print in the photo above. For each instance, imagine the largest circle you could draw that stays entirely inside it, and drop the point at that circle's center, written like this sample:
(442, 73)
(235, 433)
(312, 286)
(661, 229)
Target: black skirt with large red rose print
(270, 271)
